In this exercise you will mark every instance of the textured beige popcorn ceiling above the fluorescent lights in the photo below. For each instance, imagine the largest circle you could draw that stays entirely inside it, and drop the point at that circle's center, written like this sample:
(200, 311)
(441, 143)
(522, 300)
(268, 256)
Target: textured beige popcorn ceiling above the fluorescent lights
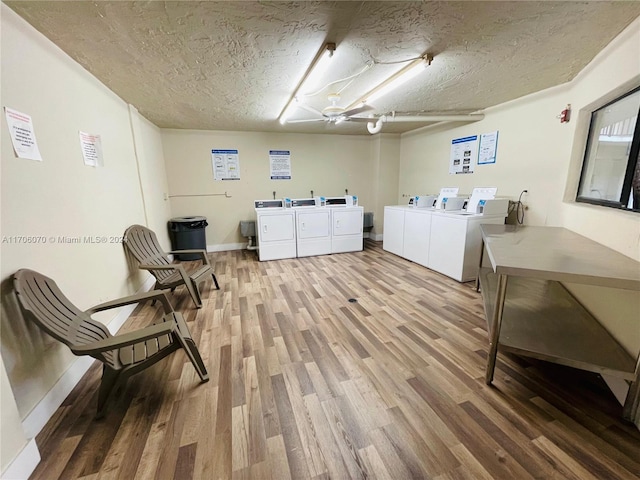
(233, 65)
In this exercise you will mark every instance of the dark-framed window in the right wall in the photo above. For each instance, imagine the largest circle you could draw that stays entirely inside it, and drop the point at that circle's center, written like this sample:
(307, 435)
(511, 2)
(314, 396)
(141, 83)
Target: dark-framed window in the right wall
(611, 167)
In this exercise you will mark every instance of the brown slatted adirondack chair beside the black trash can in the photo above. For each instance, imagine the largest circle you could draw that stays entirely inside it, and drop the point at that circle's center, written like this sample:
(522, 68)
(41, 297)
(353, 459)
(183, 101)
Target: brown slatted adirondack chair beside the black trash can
(143, 244)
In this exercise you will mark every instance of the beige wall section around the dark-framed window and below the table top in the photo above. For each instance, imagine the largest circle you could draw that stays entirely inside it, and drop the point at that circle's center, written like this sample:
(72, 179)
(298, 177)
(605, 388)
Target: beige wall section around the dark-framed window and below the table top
(615, 71)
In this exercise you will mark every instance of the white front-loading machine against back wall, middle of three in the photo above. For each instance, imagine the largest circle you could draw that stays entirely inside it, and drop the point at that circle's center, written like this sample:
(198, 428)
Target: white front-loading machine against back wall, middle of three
(313, 227)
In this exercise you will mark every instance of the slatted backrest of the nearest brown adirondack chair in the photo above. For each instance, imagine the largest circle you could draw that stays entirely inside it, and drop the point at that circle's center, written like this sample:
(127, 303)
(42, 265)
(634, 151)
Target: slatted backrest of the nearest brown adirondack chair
(45, 305)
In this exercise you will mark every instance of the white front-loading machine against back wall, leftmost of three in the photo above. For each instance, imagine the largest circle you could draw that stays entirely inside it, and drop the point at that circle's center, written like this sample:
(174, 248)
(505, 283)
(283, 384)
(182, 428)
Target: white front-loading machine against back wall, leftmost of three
(276, 230)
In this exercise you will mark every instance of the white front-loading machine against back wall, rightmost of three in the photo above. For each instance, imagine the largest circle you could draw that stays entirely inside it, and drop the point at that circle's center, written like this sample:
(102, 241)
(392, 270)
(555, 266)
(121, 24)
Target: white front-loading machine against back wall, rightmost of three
(346, 224)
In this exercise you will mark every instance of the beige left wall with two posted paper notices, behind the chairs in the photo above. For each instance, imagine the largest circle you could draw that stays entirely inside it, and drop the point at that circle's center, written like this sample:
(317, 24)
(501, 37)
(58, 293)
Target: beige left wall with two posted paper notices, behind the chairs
(61, 197)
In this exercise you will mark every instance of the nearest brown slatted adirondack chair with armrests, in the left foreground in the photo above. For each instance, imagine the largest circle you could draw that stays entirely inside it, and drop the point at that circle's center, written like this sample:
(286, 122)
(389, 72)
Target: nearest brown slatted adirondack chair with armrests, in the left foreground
(122, 355)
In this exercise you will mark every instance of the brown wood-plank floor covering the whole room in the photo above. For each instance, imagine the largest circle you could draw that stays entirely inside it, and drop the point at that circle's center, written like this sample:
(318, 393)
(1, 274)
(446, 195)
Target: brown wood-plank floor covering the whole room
(307, 383)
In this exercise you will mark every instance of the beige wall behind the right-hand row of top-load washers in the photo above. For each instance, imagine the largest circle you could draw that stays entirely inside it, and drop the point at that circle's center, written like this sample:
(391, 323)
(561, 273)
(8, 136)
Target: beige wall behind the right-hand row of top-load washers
(533, 147)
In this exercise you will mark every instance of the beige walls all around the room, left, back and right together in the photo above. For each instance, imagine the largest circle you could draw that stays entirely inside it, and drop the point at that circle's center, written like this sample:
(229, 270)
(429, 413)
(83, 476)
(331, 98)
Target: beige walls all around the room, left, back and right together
(144, 165)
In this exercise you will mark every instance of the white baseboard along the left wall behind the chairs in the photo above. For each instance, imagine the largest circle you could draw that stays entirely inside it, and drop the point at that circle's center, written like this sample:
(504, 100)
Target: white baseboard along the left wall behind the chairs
(44, 410)
